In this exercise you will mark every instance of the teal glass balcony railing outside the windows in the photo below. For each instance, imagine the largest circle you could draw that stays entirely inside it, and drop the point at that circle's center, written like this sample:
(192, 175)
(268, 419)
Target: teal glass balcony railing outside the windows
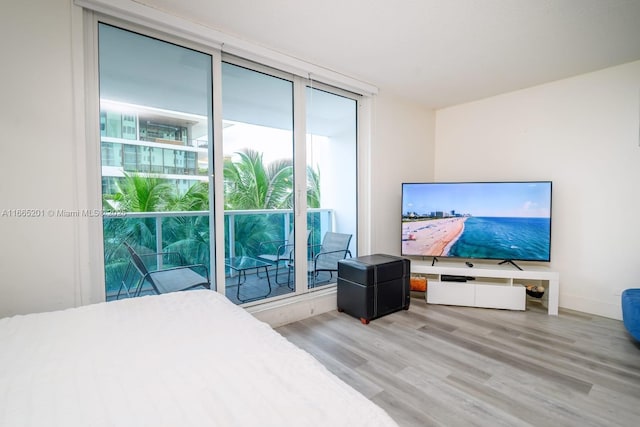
(188, 233)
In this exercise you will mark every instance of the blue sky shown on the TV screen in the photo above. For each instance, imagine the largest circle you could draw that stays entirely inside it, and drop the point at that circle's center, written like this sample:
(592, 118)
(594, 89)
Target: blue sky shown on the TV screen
(495, 199)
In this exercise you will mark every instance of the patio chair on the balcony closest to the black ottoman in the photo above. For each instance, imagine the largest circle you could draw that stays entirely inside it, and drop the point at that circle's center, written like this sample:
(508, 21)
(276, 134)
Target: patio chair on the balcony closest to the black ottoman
(325, 257)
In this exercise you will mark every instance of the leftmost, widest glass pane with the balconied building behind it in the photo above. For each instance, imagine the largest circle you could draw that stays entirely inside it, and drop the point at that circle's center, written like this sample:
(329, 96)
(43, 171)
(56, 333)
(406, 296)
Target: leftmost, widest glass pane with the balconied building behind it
(155, 128)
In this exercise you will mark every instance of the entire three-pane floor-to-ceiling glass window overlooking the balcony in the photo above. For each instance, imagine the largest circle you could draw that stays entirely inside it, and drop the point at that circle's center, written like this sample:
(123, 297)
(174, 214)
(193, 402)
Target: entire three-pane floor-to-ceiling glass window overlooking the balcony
(283, 138)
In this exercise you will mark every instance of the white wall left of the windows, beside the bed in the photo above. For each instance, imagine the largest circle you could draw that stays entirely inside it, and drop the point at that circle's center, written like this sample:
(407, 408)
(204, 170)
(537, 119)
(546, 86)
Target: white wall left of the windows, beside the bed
(39, 264)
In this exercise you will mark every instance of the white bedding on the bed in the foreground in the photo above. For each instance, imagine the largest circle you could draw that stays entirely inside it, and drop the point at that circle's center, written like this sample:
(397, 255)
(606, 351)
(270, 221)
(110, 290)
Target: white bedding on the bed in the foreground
(182, 359)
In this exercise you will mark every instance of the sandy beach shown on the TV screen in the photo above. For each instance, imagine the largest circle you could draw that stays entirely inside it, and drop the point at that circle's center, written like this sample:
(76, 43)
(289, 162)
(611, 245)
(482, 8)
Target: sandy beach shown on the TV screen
(431, 237)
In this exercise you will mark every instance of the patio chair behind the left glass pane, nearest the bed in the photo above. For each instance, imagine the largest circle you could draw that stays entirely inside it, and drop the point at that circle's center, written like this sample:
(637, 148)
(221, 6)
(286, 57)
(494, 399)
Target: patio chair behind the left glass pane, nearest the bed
(163, 280)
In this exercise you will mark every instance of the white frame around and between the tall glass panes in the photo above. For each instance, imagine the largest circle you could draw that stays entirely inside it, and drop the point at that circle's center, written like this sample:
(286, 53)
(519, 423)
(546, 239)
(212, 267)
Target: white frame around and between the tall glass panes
(91, 118)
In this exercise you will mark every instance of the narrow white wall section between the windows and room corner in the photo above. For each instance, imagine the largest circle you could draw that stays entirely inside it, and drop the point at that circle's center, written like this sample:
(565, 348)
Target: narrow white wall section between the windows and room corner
(402, 150)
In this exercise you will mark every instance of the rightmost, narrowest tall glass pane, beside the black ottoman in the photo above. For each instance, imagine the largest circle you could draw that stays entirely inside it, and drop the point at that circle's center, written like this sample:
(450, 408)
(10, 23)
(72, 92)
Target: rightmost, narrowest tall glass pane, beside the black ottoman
(331, 151)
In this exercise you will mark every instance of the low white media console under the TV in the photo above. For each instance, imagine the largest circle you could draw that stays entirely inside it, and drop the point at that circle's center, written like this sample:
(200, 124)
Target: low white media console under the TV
(494, 286)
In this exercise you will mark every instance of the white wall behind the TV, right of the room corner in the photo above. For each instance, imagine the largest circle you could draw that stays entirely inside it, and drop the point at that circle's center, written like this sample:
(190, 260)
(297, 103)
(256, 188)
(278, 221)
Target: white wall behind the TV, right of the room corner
(583, 134)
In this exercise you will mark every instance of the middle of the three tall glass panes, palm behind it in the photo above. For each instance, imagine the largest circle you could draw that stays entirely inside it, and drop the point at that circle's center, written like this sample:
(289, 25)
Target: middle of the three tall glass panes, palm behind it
(257, 110)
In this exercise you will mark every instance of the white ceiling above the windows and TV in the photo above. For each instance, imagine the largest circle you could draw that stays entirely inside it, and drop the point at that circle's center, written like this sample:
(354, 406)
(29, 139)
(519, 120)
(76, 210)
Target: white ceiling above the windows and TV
(435, 52)
